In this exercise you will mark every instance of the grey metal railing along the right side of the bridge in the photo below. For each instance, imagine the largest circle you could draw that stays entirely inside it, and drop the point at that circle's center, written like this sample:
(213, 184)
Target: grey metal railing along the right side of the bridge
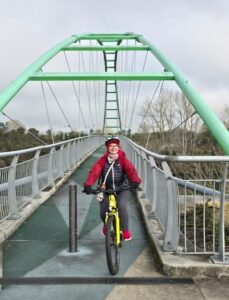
(191, 213)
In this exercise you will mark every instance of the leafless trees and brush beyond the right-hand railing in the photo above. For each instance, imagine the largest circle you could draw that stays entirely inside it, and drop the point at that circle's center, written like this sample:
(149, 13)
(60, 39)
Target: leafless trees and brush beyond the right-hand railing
(172, 127)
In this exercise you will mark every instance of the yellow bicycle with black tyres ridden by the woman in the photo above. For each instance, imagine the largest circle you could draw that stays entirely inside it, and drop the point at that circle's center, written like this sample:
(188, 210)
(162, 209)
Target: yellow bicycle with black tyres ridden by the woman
(113, 238)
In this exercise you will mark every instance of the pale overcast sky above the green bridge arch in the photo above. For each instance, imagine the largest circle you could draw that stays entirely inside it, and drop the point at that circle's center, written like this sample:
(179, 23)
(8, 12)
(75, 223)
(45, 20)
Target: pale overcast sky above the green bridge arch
(193, 34)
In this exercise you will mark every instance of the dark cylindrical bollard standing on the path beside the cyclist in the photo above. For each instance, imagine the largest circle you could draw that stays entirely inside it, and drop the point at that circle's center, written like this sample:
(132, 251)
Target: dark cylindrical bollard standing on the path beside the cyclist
(72, 218)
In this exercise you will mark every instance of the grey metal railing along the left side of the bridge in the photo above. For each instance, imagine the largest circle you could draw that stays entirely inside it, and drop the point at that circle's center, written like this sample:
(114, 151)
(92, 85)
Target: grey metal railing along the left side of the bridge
(22, 181)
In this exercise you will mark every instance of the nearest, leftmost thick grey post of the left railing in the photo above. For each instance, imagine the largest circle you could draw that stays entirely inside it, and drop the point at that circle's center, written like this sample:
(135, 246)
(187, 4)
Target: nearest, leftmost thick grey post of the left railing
(12, 198)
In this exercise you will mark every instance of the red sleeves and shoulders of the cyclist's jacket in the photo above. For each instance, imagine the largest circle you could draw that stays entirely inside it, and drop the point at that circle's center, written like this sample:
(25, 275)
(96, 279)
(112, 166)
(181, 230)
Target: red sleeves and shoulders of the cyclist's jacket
(127, 167)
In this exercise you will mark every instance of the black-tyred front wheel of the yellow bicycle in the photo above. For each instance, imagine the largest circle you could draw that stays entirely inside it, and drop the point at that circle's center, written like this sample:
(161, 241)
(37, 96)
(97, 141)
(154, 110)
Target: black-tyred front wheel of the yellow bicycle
(112, 249)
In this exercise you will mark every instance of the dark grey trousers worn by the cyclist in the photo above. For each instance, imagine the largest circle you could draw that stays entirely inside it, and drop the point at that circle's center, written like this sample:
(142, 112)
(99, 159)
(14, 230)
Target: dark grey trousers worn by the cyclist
(122, 209)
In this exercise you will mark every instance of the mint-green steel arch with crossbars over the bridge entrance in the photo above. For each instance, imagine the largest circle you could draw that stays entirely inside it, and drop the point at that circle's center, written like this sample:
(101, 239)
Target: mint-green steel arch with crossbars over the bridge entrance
(34, 73)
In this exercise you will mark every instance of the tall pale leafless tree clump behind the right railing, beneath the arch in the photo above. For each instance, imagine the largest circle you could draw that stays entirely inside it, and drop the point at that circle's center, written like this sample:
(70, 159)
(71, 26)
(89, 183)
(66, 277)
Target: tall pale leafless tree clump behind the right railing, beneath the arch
(165, 114)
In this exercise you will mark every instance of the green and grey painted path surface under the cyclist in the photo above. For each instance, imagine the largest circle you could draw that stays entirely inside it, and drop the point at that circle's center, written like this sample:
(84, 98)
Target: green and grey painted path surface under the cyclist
(39, 248)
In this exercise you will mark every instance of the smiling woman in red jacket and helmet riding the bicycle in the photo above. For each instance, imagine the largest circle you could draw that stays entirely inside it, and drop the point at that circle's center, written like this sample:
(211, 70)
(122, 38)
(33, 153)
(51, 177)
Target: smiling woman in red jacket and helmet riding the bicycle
(114, 167)
